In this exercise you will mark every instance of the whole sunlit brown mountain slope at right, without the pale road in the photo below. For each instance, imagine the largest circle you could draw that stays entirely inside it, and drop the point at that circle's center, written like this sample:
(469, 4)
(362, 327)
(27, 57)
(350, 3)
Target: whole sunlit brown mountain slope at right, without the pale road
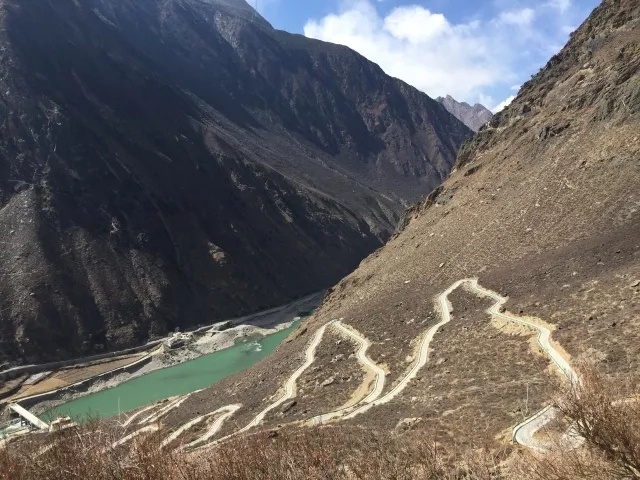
(544, 207)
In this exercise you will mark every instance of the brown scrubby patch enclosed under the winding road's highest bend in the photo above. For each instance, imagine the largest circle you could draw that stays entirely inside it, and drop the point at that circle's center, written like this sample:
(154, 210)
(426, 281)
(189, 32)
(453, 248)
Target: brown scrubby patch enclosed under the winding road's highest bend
(486, 378)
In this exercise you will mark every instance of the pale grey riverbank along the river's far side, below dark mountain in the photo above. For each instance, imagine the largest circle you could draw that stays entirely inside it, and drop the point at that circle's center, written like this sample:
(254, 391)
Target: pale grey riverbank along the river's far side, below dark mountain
(192, 345)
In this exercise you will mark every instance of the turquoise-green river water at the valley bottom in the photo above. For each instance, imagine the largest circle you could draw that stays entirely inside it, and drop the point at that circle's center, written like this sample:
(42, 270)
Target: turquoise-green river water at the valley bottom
(176, 380)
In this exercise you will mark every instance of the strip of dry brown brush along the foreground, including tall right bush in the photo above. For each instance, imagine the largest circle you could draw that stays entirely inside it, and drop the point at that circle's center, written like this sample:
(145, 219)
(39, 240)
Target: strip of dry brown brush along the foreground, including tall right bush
(609, 425)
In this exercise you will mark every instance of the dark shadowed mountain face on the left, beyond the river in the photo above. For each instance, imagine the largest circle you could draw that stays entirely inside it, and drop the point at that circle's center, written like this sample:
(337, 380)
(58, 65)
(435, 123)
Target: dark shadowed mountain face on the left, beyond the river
(170, 163)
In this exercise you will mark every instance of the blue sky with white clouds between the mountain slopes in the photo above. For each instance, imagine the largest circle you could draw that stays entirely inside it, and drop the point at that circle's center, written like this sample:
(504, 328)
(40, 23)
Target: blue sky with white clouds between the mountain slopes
(478, 51)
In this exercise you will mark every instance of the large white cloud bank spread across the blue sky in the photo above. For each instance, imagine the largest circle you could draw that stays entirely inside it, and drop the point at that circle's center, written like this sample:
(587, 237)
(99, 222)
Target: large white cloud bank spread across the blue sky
(474, 61)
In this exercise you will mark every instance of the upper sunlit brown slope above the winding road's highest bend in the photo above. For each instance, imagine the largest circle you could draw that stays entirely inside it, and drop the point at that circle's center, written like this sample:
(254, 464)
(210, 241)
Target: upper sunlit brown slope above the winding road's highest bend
(544, 207)
